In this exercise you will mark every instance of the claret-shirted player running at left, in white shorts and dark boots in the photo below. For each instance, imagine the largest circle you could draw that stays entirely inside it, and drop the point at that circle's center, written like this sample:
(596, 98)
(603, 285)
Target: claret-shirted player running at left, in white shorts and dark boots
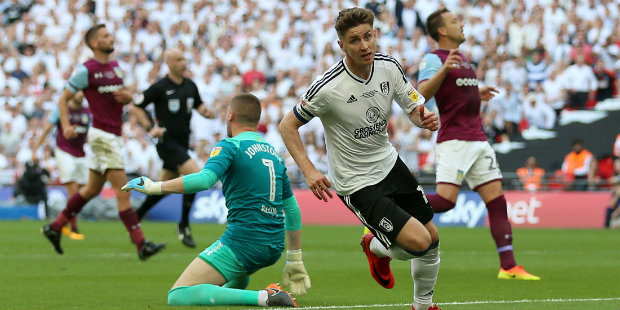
(101, 80)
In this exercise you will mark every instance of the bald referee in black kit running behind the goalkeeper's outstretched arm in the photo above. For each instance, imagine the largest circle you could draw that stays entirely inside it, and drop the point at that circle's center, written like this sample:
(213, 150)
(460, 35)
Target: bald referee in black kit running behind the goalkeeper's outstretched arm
(174, 97)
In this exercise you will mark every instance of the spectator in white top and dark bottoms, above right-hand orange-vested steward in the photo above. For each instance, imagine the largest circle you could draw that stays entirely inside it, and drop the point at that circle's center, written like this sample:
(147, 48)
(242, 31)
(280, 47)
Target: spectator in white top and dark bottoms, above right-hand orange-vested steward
(580, 82)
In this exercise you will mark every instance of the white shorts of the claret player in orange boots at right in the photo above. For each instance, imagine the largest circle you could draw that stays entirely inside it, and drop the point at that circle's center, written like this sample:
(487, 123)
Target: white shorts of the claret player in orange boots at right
(473, 161)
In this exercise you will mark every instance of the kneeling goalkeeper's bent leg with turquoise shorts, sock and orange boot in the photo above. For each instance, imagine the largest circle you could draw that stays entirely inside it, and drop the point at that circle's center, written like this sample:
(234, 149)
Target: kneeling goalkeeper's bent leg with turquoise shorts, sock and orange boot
(204, 282)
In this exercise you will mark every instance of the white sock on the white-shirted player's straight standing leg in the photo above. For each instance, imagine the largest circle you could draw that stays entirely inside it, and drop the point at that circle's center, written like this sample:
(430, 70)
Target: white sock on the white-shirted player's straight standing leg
(424, 272)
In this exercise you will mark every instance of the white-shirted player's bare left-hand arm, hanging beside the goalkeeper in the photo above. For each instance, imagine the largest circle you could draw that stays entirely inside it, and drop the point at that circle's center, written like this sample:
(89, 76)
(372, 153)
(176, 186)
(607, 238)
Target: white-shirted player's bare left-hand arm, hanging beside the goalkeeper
(317, 182)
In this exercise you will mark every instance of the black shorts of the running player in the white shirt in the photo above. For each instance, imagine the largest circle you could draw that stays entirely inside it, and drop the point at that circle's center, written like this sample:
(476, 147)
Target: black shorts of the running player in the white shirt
(386, 207)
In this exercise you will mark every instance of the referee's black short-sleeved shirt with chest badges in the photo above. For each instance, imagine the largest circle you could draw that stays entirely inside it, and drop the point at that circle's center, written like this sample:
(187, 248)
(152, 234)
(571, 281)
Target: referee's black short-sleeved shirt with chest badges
(173, 107)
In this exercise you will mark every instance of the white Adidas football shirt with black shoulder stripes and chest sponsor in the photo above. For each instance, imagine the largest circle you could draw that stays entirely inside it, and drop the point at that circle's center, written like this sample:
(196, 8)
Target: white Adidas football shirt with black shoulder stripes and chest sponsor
(355, 115)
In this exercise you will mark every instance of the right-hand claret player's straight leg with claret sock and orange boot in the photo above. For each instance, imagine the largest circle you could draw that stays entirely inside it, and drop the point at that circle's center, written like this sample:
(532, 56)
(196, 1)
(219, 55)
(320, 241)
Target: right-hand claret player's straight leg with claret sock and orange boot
(485, 178)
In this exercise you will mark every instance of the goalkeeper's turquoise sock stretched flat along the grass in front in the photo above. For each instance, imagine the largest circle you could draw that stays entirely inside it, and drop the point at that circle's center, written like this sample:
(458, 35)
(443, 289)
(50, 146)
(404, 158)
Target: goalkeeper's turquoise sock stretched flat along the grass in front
(211, 295)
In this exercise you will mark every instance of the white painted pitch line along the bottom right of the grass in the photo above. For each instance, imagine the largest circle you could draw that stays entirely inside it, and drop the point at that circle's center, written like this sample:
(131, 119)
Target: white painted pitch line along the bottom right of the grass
(477, 302)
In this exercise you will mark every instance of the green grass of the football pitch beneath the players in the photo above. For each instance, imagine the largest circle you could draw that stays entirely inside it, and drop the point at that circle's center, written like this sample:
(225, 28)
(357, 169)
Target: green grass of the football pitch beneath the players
(103, 272)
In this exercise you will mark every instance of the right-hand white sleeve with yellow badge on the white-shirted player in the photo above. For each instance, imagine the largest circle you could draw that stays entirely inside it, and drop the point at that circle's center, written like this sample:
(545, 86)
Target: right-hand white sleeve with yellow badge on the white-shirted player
(405, 95)
